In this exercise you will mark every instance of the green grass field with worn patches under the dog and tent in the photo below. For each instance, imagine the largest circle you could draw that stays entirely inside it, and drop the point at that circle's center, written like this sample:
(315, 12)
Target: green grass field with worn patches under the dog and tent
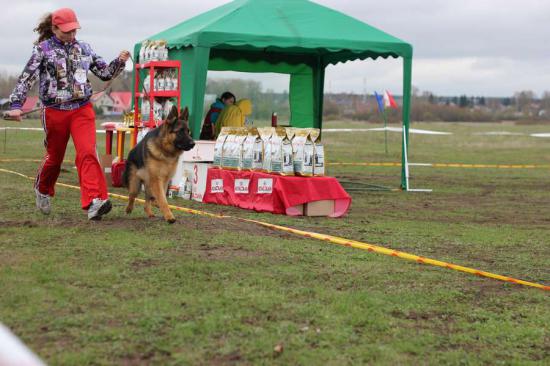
(129, 290)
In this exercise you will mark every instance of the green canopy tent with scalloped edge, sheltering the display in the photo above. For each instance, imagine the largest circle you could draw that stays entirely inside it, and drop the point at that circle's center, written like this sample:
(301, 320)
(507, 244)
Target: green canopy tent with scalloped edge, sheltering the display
(295, 37)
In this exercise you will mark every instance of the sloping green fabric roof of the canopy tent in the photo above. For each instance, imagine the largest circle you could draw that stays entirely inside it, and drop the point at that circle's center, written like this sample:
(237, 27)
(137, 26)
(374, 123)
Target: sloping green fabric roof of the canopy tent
(289, 26)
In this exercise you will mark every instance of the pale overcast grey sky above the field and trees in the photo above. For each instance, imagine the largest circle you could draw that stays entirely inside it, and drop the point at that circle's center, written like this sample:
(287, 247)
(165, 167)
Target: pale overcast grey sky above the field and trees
(472, 47)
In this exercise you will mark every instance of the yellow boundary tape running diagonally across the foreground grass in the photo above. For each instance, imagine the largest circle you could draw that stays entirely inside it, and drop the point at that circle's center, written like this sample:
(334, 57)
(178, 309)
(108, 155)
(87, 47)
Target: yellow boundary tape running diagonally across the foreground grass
(335, 240)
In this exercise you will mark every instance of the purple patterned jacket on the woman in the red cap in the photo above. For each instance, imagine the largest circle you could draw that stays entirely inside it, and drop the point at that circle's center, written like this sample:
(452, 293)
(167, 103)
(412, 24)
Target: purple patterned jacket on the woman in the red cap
(63, 72)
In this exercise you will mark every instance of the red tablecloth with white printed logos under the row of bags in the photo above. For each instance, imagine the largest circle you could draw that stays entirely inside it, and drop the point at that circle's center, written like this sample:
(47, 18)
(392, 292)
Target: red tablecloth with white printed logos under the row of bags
(272, 193)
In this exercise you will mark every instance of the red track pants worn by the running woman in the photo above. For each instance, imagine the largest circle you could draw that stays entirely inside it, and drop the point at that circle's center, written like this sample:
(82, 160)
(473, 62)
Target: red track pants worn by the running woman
(80, 124)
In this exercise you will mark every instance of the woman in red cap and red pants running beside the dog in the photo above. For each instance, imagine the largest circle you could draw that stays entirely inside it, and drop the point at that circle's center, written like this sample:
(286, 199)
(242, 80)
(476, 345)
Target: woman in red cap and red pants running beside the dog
(61, 63)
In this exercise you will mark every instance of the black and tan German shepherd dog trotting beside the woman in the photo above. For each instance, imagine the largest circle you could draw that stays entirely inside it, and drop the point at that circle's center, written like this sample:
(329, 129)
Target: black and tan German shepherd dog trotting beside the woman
(153, 161)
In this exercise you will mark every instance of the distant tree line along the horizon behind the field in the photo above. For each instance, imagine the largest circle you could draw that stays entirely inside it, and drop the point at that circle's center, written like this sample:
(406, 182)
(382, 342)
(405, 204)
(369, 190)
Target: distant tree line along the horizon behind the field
(425, 106)
